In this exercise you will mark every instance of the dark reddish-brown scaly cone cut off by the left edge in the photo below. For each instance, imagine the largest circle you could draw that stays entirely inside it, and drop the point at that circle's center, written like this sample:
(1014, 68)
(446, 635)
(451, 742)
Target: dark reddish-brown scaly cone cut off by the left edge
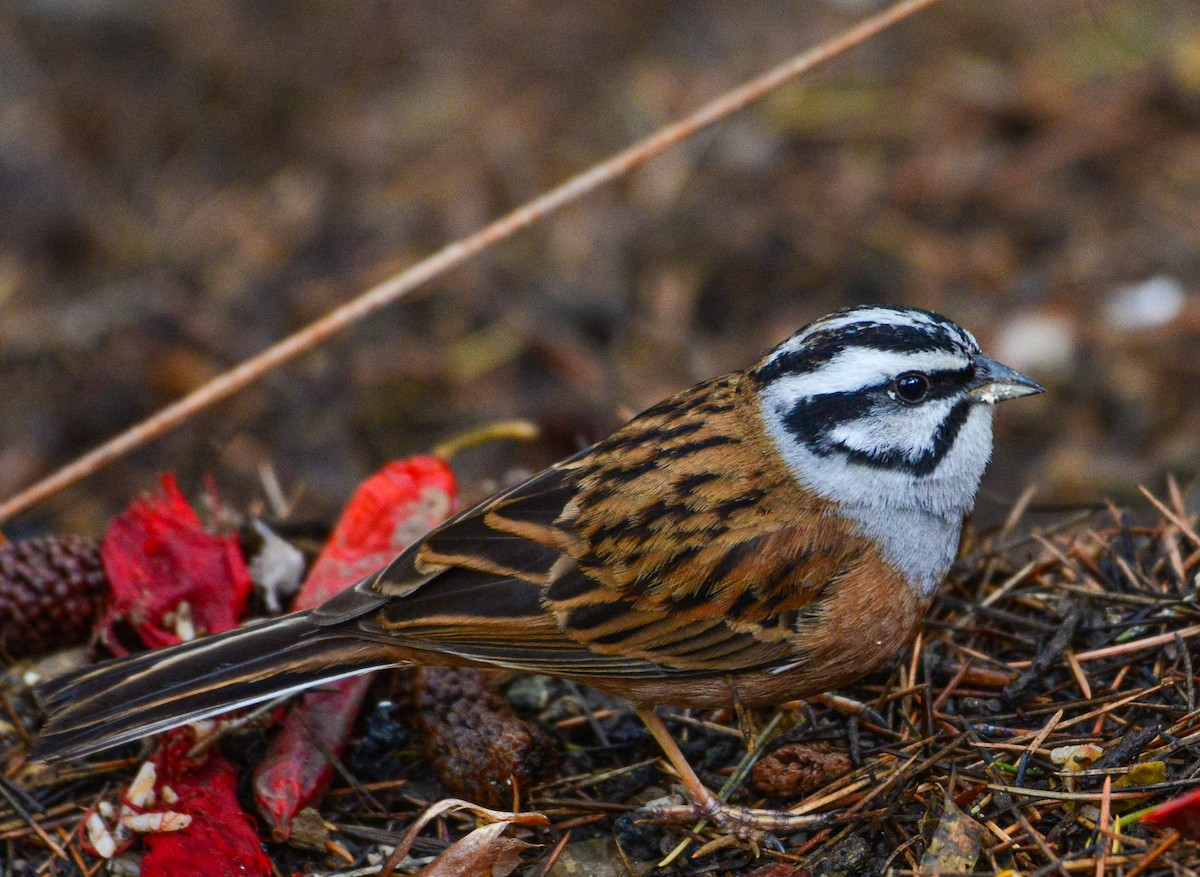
(51, 592)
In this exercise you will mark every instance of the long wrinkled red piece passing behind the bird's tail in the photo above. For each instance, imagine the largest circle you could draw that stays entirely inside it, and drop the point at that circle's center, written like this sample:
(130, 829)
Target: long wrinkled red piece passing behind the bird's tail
(389, 512)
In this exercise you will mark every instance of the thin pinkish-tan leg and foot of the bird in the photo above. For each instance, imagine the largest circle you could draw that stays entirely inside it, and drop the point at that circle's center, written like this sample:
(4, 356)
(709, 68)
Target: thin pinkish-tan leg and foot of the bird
(743, 822)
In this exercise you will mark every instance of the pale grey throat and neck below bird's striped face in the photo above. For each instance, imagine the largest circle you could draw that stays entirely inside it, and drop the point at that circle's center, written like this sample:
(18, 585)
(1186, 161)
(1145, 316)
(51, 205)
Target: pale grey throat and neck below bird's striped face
(916, 520)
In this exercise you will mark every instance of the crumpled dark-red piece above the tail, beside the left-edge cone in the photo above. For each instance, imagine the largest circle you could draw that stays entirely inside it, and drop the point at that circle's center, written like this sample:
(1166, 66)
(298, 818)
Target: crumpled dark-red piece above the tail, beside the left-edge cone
(169, 573)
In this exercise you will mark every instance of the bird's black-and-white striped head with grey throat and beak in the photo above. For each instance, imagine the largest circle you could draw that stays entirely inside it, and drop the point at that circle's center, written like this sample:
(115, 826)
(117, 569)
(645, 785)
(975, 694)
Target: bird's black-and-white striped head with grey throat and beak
(884, 410)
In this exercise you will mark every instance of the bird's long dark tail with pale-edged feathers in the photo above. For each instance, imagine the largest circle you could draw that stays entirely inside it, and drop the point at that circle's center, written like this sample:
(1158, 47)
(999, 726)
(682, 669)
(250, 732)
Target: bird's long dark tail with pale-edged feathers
(131, 698)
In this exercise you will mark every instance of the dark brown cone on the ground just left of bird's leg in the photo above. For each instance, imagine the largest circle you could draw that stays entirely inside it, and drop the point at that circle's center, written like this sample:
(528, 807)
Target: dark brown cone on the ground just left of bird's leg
(478, 746)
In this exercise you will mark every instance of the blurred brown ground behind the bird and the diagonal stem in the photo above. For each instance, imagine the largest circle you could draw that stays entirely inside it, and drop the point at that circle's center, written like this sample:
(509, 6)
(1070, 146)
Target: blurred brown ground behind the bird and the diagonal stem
(184, 184)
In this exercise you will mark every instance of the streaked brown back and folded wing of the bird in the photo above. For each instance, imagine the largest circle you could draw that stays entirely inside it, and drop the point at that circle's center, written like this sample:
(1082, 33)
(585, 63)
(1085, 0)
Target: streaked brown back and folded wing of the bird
(645, 556)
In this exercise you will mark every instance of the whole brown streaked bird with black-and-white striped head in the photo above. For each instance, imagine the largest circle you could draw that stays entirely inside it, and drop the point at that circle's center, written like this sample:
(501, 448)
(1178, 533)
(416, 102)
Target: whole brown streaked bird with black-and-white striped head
(769, 534)
